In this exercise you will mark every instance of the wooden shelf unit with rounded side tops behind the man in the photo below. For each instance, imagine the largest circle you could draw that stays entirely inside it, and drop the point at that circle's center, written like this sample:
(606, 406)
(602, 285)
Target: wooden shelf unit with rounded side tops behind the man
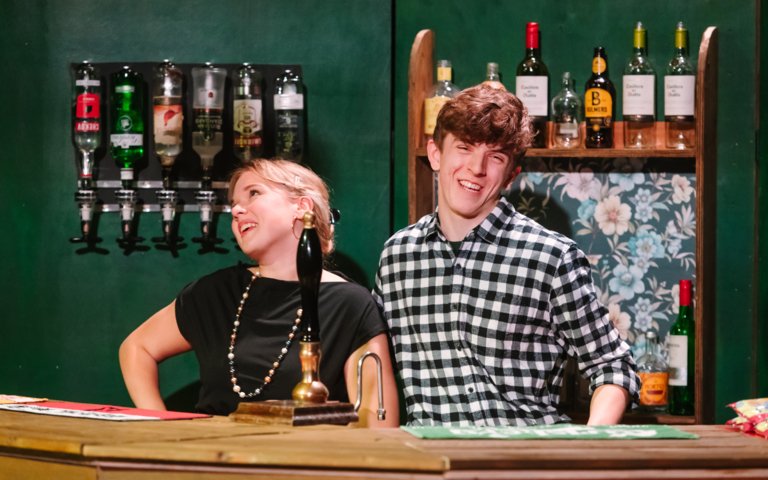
(421, 193)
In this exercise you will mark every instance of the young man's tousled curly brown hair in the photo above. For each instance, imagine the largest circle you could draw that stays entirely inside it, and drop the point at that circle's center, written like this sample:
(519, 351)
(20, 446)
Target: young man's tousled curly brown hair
(485, 115)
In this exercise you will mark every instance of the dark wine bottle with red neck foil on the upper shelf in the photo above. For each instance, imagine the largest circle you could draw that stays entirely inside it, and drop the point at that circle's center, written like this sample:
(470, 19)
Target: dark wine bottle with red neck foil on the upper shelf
(532, 85)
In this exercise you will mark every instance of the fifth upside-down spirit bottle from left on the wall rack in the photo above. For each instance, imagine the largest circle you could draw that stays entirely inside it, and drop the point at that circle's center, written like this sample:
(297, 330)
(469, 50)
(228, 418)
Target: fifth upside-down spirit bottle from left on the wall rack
(247, 113)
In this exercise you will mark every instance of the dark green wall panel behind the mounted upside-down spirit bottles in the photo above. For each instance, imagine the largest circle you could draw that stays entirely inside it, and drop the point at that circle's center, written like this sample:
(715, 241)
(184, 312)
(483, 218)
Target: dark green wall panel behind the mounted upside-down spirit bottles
(64, 315)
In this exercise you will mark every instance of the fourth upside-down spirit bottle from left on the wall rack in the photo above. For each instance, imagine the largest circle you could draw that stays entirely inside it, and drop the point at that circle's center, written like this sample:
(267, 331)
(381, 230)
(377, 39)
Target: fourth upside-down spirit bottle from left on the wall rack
(208, 110)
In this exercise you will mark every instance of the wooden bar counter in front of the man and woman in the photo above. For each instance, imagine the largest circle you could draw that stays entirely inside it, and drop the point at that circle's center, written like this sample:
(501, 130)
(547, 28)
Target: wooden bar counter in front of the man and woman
(42, 447)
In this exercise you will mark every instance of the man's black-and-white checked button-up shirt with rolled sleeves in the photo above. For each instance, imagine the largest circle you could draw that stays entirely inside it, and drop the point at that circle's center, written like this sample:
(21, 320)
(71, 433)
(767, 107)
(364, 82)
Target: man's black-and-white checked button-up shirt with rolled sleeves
(480, 337)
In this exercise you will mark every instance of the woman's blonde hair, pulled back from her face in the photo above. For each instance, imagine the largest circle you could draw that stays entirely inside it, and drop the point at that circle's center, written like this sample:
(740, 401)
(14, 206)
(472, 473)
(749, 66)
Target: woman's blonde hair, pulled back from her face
(297, 181)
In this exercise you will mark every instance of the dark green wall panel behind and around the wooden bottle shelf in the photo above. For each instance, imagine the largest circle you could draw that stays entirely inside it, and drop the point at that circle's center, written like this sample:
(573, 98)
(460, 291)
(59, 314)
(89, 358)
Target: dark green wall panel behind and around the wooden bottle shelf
(471, 36)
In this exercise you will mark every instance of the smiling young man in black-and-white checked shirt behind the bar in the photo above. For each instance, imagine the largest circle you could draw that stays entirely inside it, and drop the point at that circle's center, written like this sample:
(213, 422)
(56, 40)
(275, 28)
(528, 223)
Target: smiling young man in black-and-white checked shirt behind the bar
(484, 304)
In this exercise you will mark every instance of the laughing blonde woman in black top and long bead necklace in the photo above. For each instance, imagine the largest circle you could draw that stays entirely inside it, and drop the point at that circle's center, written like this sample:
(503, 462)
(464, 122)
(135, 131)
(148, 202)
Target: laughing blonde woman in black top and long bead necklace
(255, 310)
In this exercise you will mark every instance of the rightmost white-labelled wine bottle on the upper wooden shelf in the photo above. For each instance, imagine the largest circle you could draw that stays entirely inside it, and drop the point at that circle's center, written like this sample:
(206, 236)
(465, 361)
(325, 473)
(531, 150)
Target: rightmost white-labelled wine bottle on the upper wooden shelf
(679, 94)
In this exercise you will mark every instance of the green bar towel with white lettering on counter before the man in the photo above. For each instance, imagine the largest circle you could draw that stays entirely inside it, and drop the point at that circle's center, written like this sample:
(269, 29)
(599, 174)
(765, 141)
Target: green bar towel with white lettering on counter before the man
(559, 432)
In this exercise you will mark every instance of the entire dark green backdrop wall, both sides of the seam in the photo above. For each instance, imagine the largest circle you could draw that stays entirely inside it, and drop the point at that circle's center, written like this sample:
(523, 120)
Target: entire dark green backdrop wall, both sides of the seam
(64, 315)
